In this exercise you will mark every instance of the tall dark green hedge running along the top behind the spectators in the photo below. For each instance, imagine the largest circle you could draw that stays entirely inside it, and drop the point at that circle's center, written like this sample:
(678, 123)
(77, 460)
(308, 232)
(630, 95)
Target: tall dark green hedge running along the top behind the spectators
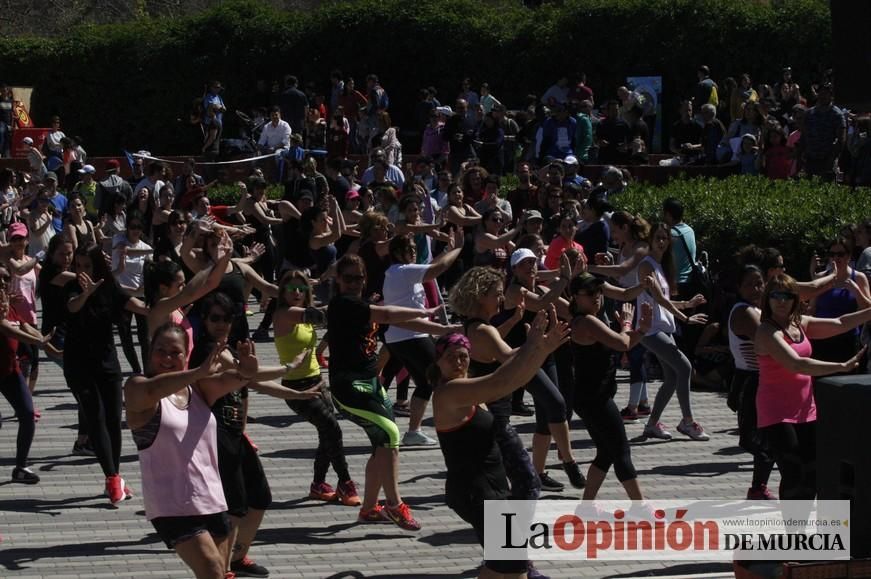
(125, 85)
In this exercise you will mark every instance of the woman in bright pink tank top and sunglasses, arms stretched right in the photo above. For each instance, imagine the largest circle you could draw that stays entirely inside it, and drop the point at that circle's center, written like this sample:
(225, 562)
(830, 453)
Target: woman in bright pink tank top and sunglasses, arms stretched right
(785, 408)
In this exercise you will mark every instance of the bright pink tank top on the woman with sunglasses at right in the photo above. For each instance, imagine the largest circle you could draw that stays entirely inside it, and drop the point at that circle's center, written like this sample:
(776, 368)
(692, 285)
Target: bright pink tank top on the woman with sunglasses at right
(784, 396)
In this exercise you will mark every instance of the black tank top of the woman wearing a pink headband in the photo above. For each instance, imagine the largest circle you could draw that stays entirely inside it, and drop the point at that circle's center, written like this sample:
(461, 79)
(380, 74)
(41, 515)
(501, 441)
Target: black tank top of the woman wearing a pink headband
(472, 457)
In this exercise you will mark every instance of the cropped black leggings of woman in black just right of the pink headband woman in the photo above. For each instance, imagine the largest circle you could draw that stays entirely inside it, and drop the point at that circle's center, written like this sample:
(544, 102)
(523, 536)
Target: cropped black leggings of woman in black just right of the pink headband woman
(605, 425)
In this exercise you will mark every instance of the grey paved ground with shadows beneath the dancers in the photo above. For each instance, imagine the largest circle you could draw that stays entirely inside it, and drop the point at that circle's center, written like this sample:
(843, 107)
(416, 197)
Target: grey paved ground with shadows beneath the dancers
(63, 527)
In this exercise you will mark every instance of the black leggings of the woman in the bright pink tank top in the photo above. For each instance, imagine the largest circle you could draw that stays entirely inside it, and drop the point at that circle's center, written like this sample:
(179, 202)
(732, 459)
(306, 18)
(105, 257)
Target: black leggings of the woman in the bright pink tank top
(794, 447)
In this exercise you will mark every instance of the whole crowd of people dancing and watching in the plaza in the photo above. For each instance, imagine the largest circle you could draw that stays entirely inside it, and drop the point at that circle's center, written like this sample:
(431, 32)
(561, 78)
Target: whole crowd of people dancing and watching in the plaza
(418, 272)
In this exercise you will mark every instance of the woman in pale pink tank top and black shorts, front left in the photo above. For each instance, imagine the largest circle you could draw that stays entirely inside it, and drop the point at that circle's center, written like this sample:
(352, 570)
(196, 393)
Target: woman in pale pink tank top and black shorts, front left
(169, 414)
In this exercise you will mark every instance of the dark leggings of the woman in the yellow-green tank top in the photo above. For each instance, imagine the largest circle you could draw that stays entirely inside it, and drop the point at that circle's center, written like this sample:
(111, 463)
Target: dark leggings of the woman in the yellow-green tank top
(319, 412)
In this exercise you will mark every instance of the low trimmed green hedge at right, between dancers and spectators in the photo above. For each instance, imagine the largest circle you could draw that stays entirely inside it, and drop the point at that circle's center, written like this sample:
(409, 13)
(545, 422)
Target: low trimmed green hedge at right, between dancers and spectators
(797, 217)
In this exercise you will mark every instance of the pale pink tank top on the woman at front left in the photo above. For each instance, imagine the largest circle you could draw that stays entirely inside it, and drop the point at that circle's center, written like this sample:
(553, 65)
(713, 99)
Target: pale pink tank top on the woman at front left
(180, 469)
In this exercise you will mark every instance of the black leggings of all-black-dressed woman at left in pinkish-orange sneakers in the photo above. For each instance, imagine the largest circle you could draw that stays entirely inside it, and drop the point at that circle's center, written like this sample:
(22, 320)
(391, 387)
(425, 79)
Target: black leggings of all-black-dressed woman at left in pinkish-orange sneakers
(99, 395)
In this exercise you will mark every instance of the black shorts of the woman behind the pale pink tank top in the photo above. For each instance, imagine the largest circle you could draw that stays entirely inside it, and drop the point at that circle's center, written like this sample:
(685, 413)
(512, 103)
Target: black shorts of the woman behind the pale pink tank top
(242, 476)
